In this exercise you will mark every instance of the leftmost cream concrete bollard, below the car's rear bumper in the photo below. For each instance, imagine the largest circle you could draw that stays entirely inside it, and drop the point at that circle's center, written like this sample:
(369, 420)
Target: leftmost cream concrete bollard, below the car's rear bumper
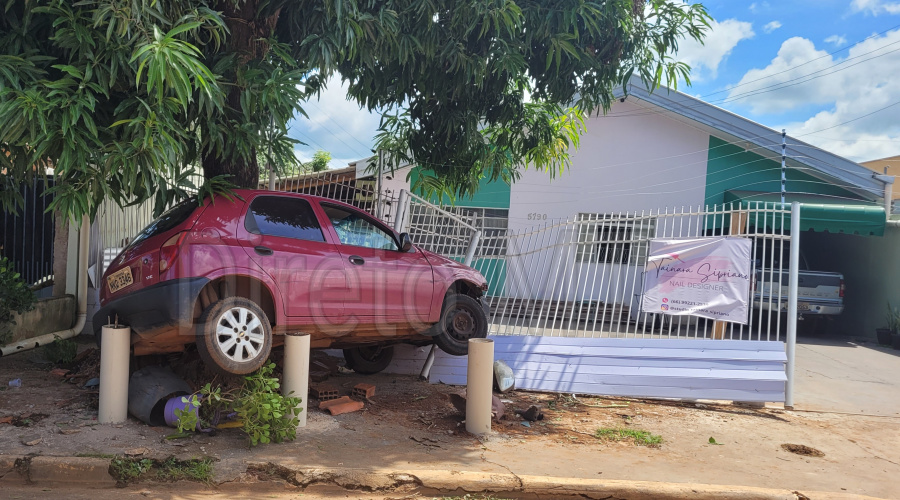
(115, 353)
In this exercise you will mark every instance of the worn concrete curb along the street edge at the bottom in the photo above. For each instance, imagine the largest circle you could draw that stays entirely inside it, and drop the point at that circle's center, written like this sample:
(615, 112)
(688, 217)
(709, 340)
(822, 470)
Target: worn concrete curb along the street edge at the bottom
(94, 472)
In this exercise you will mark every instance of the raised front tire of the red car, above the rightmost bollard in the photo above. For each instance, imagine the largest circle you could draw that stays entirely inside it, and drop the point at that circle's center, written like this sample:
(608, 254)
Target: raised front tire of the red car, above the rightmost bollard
(462, 318)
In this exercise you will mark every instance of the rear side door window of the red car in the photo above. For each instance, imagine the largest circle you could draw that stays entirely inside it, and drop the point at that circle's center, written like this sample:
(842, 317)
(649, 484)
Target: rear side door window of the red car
(283, 216)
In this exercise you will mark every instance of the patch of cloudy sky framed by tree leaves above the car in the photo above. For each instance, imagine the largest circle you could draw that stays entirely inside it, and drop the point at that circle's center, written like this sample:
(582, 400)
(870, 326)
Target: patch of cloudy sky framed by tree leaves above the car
(335, 125)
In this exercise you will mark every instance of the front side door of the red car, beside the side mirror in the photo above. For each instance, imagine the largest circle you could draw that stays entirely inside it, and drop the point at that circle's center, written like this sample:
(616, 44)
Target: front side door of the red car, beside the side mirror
(386, 284)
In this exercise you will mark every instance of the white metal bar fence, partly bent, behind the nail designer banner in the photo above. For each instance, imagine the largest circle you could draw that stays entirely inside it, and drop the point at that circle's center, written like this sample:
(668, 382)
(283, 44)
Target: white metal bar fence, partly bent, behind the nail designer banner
(583, 277)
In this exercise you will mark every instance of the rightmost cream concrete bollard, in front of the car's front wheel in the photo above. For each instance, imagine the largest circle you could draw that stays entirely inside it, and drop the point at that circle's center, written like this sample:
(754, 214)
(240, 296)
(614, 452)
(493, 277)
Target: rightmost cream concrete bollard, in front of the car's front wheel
(479, 384)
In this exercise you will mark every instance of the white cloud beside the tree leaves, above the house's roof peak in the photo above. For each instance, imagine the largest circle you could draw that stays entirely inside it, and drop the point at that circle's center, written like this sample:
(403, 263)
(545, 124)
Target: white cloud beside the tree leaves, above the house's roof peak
(722, 38)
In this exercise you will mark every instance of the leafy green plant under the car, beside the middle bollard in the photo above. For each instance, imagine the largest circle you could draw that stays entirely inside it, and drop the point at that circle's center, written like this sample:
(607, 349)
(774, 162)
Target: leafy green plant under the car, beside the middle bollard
(267, 415)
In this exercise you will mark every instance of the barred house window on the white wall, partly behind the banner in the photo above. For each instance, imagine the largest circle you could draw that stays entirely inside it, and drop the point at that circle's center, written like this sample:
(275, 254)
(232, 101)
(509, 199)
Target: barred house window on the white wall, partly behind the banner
(614, 239)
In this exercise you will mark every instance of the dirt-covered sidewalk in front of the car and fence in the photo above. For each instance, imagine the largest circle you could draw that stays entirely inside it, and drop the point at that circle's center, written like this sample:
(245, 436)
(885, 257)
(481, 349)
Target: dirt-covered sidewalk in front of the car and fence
(409, 434)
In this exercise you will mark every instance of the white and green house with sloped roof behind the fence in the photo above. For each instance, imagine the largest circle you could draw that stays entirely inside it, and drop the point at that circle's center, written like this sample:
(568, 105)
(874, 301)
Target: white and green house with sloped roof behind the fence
(666, 150)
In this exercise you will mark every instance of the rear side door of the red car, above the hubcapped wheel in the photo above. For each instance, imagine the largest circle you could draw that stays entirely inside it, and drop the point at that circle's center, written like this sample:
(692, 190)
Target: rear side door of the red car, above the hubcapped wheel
(283, 235)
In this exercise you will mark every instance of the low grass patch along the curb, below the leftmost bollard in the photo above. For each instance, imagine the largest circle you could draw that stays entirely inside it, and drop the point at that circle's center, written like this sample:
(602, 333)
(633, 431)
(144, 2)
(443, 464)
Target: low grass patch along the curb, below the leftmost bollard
(129, 470)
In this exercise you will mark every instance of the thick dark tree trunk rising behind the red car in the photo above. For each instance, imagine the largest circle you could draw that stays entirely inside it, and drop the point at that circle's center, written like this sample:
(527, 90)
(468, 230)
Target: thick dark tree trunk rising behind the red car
(247, 38)
